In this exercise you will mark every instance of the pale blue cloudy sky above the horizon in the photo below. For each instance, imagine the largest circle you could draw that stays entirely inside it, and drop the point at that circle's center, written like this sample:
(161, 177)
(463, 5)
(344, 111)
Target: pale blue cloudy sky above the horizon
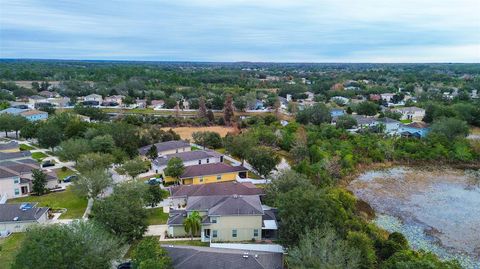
(242, 30)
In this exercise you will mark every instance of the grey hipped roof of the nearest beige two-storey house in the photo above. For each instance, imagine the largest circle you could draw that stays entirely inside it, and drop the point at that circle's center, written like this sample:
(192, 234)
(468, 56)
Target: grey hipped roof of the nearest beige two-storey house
(226, 205)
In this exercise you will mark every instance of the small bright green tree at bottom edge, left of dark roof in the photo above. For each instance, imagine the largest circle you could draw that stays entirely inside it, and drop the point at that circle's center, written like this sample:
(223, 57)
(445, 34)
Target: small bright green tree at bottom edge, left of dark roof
(148, 254)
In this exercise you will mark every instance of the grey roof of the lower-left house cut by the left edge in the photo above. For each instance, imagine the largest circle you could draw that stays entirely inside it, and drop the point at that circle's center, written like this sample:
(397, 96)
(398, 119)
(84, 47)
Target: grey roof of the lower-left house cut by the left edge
(24, 212)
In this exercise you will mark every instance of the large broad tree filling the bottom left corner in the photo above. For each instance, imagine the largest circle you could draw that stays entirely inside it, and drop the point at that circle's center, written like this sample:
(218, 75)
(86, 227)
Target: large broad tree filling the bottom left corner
(88, 245)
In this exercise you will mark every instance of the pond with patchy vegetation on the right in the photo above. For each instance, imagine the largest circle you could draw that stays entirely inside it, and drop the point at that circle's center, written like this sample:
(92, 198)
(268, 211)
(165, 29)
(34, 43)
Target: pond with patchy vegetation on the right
(438, 210)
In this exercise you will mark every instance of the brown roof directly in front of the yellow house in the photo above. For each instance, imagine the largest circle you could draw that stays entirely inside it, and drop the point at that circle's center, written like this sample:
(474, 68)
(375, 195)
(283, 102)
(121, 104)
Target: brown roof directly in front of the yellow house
(220, 188)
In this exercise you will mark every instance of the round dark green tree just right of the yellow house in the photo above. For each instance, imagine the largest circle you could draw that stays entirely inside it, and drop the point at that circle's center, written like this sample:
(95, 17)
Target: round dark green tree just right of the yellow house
(263, 160)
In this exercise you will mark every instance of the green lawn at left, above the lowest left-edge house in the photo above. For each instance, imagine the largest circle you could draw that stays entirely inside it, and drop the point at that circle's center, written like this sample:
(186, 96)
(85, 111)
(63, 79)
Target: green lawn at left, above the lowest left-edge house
(65, 199)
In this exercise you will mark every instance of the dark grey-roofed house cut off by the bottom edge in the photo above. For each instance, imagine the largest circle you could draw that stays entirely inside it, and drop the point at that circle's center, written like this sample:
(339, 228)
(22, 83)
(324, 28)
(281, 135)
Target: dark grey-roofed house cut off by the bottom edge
(187, 257)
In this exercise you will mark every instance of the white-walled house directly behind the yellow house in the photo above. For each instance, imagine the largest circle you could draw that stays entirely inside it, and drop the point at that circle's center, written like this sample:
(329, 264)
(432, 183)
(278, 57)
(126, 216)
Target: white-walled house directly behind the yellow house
(189, 158)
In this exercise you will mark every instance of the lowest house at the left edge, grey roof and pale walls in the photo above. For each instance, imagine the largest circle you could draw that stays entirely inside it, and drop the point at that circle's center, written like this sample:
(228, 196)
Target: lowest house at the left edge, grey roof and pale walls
(18, 217)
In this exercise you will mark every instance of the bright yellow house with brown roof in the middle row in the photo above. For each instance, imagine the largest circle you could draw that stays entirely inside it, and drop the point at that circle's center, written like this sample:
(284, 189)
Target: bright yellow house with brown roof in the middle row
(210, 173)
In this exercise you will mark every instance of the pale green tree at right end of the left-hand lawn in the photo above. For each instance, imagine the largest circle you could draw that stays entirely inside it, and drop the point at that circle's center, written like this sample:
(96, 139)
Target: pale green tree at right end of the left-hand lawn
(91, 183)
